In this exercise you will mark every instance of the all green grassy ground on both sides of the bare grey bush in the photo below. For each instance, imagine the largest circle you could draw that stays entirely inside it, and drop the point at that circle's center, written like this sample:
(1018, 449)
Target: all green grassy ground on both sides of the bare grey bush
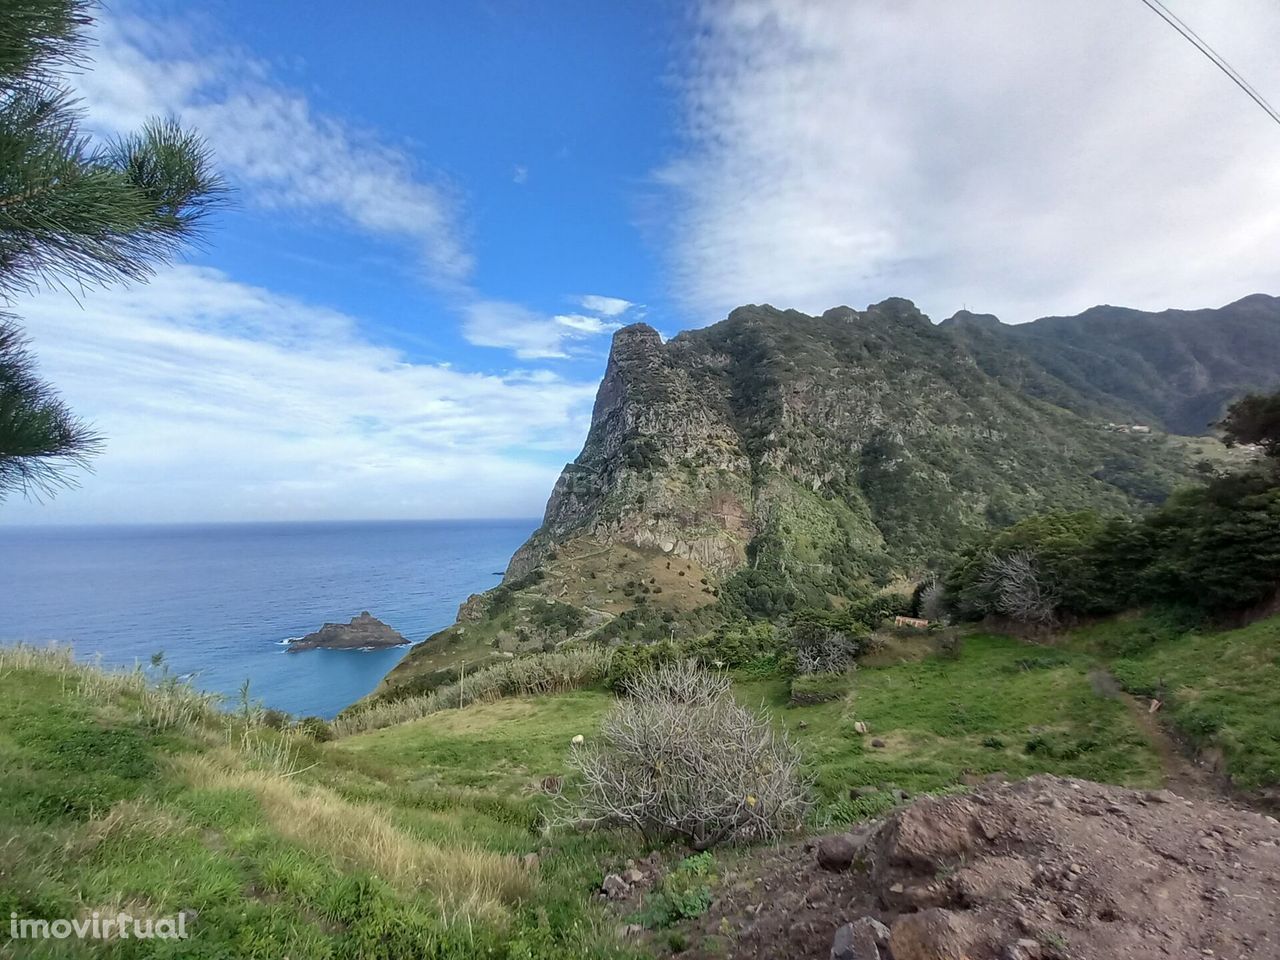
(412, 842)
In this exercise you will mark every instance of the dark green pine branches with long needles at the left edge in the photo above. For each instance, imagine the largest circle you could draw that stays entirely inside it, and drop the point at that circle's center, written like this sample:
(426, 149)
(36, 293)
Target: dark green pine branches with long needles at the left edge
(76, 214)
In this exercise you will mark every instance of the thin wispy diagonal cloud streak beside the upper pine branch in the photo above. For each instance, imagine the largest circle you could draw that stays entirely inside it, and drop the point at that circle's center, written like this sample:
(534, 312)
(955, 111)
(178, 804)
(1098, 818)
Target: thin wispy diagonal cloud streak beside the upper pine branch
(271, 141)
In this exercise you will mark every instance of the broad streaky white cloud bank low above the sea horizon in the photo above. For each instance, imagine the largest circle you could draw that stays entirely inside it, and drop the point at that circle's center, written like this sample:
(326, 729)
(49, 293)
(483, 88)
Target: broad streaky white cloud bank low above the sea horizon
(223, 401)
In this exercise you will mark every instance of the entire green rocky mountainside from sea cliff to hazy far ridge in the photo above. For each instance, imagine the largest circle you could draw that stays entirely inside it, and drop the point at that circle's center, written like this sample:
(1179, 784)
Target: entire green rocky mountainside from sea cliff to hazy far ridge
(778, 460)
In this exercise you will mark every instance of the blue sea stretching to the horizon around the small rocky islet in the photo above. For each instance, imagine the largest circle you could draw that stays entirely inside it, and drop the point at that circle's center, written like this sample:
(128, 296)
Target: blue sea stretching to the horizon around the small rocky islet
(220, 600)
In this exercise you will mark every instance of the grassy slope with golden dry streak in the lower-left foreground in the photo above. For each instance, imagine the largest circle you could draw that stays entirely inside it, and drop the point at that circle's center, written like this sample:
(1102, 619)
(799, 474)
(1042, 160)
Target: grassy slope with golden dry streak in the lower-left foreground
(278, 849)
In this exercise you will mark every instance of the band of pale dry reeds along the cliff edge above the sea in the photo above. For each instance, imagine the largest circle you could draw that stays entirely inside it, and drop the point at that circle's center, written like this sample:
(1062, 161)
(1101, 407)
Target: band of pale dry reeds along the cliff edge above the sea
(525, 676)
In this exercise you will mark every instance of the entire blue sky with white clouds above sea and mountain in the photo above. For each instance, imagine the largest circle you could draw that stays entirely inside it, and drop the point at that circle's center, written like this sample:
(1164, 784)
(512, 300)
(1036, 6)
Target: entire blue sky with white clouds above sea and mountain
(444, 211)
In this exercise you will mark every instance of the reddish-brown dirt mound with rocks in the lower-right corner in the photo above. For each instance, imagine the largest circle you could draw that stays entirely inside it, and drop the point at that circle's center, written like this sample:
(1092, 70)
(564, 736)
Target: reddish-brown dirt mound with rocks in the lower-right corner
(1045, 868)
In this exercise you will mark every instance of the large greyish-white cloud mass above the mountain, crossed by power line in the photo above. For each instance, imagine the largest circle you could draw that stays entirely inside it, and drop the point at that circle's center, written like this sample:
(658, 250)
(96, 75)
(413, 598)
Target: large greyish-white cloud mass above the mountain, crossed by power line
(1021, 157)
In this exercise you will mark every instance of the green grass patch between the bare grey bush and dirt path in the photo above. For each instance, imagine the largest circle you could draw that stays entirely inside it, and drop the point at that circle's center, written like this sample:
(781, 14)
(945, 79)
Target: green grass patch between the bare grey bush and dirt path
(998, 706)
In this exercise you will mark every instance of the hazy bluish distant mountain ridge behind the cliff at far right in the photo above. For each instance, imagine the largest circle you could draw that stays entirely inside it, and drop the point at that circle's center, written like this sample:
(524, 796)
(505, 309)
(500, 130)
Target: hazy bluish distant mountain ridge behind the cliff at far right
(1177, 369)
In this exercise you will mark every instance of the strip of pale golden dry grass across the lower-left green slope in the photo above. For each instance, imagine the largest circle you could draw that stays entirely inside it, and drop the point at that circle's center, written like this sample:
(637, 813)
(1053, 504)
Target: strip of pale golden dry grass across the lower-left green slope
(465, 880)
